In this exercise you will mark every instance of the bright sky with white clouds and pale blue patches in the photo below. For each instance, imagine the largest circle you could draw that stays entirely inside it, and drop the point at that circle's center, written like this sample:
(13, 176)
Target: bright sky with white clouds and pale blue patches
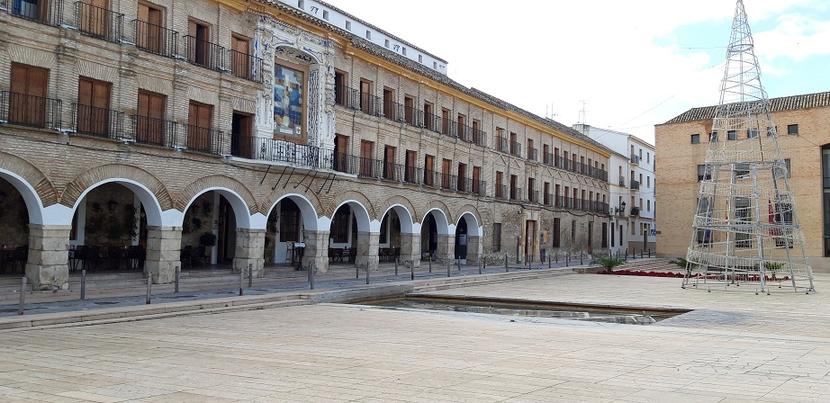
(634, 63)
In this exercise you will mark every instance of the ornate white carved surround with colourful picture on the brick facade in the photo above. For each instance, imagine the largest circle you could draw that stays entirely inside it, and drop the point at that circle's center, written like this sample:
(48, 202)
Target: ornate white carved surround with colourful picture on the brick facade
(296, 104)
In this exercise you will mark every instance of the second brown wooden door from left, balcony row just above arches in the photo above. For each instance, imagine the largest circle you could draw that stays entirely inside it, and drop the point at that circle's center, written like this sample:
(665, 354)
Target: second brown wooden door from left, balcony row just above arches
(93, 106)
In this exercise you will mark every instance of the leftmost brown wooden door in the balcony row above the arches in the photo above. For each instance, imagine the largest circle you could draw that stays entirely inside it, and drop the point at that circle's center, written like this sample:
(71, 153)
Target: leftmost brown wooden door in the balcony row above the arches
(27, 98)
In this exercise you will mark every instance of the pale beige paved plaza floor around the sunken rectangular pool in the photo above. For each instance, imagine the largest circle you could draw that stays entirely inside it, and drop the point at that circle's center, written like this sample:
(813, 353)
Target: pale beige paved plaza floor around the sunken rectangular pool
(732, 347)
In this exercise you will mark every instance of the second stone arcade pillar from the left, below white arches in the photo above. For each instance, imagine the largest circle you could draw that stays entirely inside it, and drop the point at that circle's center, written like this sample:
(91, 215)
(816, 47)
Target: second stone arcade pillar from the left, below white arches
(164, 246)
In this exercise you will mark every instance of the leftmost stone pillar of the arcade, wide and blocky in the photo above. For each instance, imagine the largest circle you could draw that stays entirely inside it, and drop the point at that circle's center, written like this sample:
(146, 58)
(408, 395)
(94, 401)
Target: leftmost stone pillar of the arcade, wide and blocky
(47, 267)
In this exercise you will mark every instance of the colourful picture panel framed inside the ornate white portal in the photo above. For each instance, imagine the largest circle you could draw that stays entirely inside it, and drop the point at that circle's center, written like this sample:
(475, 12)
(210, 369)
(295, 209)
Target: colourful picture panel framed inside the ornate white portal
(289, 105)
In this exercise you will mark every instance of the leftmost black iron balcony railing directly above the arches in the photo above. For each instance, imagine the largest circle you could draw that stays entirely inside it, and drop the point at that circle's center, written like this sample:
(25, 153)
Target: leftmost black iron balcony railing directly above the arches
(29, 110)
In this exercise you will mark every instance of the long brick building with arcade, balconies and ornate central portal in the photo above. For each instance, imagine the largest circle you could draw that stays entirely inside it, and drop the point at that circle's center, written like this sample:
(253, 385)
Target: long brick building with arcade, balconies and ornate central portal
(260, 132)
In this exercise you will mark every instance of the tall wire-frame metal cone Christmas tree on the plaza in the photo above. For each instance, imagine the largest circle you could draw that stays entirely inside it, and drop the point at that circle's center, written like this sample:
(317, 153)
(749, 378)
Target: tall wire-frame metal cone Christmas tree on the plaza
(746, 231)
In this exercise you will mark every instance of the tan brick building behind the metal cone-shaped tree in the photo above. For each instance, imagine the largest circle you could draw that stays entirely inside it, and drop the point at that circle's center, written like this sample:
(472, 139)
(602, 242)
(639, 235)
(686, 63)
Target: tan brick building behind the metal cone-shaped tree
(803, 129)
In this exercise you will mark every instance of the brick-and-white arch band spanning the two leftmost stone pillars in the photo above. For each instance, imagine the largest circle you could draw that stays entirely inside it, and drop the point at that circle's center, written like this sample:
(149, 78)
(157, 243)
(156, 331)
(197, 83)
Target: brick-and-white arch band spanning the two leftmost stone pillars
(124, 174)
